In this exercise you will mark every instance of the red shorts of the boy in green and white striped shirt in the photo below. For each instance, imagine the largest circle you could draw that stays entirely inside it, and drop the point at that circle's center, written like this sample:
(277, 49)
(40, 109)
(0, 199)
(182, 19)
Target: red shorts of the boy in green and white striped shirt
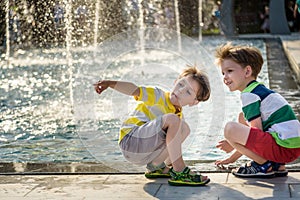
(263, 144)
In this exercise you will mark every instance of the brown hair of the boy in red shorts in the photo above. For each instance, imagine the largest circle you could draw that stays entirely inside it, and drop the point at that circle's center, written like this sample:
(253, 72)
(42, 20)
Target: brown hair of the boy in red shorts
(243, 55)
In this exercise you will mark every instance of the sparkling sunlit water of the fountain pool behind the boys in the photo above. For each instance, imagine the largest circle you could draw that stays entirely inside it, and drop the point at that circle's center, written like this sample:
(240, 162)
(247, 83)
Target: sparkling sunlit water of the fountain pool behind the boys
(51, 114)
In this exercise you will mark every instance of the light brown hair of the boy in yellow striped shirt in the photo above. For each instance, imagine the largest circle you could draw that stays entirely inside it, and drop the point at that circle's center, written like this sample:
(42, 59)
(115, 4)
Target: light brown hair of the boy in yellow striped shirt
(204, 92)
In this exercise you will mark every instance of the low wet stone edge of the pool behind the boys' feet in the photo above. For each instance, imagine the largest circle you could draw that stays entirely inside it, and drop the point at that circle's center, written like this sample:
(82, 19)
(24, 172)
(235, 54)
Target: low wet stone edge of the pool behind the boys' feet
(11, 168)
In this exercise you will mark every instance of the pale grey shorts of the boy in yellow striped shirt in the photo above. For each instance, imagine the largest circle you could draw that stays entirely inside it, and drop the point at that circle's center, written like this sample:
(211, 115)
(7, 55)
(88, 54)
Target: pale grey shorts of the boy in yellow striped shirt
(144, 143)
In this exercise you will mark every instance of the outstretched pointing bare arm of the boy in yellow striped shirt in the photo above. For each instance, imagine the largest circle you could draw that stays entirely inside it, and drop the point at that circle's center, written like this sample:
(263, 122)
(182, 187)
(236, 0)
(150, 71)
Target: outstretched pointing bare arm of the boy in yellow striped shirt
(127, 88)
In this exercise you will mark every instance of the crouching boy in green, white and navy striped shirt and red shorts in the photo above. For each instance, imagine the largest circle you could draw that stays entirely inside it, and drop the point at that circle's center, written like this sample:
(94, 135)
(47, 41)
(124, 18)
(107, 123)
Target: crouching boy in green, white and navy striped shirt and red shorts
(268, 132)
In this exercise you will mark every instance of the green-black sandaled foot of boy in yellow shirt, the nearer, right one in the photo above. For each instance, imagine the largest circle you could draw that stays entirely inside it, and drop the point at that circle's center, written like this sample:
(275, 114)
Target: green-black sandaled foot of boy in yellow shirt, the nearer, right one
(187, 178)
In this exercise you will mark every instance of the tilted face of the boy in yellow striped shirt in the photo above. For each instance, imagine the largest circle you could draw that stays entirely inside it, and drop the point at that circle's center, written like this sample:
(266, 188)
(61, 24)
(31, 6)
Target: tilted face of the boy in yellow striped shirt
(184, 92)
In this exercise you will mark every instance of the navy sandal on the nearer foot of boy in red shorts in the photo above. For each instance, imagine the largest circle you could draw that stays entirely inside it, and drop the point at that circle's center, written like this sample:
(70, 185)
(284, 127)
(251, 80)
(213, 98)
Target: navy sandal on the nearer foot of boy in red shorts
(255, 170)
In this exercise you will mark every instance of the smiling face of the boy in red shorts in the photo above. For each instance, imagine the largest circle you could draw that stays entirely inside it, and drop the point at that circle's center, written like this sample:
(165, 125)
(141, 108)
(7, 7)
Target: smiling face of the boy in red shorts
(234, 76)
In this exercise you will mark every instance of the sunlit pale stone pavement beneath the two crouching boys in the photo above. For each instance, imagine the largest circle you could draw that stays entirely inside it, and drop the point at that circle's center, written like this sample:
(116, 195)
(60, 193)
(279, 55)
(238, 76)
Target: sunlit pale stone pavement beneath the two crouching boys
(222, 186)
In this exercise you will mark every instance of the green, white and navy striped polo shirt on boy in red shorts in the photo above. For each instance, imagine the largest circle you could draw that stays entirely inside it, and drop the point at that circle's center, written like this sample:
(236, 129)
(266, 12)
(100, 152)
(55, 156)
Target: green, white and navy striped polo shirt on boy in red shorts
(277, 116)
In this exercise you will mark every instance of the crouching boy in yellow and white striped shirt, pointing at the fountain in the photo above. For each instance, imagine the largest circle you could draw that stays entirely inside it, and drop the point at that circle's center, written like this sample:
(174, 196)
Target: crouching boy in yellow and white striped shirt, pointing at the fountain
(153, 133)
